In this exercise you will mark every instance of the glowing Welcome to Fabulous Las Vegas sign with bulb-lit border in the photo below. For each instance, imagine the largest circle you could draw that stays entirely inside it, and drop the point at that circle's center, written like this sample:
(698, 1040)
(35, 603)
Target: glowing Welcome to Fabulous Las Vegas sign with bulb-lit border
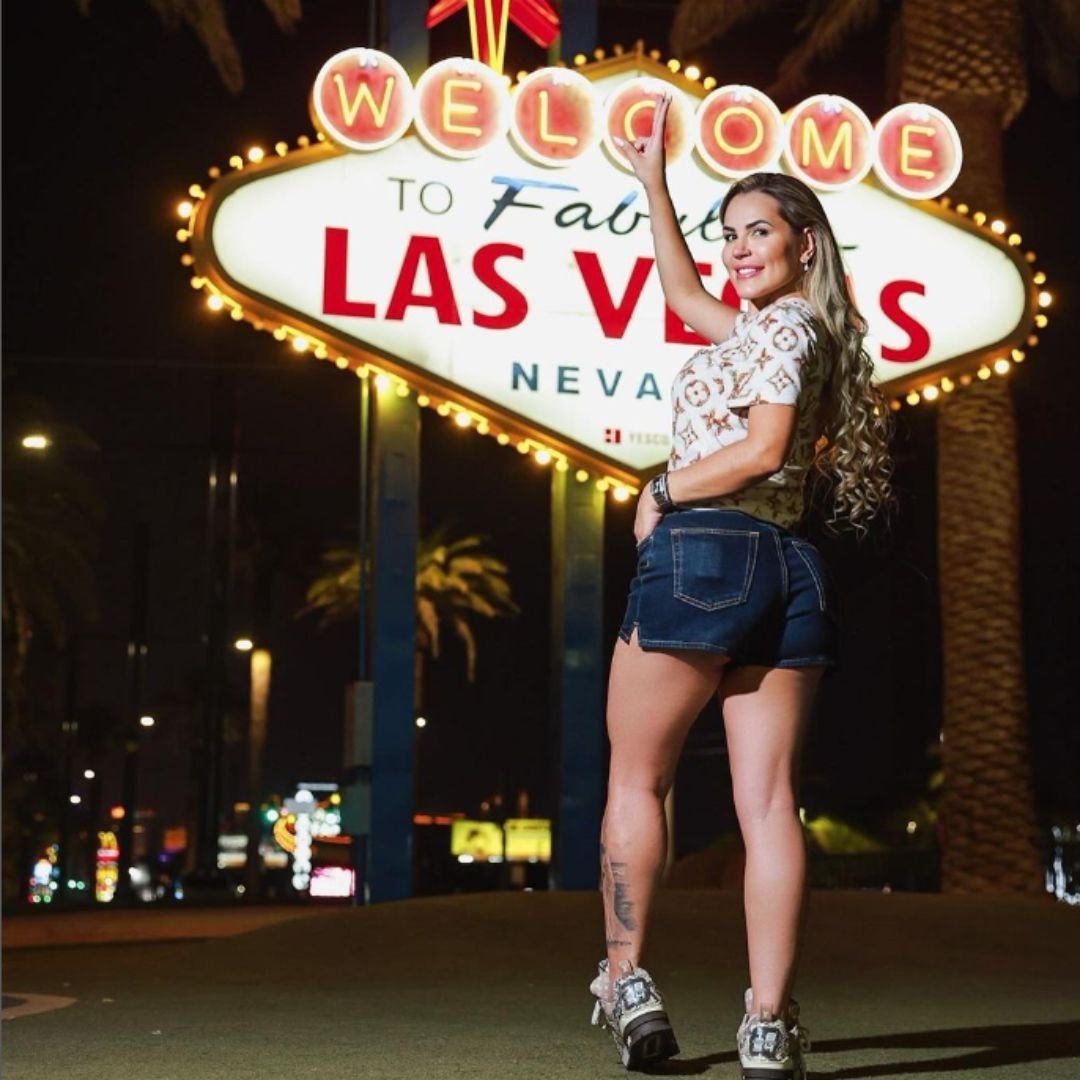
(490, 248)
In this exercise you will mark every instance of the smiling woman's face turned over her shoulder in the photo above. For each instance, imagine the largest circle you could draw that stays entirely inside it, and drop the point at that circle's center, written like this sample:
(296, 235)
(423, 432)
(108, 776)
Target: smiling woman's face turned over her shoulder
(762, 252)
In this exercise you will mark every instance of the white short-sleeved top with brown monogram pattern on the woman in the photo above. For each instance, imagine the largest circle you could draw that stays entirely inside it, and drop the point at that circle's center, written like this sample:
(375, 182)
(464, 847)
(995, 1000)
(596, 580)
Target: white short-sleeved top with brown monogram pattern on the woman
(769, 359)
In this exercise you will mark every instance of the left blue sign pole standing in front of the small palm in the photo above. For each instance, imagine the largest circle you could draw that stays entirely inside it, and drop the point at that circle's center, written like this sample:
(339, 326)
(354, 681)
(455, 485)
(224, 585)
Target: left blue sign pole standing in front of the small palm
(397, 468)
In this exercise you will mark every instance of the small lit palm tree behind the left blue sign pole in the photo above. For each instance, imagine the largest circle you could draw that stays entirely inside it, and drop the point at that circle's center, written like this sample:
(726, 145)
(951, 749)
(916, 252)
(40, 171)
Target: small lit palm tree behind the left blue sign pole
(456, 584)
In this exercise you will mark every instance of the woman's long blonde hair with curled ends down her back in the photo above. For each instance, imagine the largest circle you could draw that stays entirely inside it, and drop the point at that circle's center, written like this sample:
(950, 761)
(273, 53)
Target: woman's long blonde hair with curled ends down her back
(854, 454)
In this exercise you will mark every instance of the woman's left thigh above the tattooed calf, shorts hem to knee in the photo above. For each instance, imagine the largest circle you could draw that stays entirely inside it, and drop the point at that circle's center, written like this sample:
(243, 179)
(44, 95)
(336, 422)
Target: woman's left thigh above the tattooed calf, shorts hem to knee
(654, 698)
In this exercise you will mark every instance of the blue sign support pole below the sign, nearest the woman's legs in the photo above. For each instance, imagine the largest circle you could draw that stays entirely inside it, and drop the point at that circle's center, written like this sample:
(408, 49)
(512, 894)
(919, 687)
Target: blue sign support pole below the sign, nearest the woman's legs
(578, 676)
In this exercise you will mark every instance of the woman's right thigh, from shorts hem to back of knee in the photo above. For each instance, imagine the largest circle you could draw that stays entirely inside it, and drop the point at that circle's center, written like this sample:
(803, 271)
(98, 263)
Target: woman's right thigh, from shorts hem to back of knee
(766, 713)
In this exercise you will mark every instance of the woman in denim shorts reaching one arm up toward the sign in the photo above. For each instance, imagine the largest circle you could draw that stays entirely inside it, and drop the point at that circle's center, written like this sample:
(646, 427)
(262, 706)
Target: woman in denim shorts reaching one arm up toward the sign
(726, 599)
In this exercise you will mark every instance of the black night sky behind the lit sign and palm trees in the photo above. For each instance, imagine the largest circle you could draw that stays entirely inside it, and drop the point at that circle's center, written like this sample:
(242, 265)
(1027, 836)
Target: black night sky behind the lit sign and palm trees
(102, 139)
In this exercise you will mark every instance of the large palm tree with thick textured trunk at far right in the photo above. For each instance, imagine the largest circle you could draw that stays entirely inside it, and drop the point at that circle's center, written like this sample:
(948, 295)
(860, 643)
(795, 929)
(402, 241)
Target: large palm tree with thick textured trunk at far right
(966, 57)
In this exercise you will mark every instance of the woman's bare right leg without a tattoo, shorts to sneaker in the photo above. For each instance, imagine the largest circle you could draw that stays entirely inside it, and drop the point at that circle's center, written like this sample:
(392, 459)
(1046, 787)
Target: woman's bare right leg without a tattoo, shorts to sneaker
(766, 711)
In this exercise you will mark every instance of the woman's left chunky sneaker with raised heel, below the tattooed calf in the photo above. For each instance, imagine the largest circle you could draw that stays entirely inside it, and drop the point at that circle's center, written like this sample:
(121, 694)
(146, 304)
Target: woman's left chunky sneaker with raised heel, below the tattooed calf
(633, 1012)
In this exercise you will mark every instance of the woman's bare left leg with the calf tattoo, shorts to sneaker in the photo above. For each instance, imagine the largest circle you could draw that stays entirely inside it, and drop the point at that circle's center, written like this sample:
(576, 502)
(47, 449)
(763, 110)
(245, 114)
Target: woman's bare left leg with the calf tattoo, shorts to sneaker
(654, 698)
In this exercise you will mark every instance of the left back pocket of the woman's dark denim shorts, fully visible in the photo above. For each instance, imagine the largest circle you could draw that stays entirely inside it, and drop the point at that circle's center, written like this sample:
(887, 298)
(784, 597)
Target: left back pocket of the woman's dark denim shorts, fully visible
(713, 568)
